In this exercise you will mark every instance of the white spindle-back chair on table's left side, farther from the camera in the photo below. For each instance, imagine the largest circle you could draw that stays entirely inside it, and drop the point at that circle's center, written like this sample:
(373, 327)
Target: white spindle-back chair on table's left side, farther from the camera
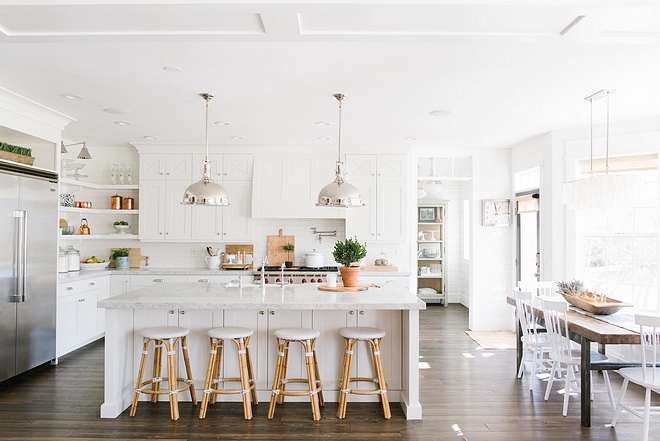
(531, 337)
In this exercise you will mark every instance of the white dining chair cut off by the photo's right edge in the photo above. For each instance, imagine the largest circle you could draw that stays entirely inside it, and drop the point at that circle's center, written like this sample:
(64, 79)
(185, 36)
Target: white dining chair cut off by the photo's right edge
(646, 376)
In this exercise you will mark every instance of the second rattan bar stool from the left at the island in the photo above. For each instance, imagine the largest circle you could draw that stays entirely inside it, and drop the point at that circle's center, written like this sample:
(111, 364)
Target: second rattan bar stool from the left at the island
(240, 336)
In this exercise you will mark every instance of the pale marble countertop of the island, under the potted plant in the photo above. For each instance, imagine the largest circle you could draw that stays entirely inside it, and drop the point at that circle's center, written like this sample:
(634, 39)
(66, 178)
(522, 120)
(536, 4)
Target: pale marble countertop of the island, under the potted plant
(192, 295)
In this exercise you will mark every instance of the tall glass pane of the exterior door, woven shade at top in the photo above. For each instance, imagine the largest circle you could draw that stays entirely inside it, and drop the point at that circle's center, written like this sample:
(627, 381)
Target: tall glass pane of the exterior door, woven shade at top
(529, 253)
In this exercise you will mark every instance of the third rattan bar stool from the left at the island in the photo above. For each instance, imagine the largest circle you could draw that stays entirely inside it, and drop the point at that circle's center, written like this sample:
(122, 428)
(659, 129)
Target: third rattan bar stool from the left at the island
(307, 338)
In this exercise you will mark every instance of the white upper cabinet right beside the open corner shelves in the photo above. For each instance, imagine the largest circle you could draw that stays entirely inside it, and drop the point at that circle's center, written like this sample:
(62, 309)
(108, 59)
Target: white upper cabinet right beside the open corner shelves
(163, 181)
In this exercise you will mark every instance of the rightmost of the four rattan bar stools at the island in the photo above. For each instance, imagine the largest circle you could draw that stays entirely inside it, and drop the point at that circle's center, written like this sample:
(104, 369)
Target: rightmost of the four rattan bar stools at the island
(351, 337)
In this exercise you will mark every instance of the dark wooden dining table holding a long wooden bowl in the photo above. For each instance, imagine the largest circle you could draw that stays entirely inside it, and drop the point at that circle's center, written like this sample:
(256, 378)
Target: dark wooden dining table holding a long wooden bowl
(586, 328)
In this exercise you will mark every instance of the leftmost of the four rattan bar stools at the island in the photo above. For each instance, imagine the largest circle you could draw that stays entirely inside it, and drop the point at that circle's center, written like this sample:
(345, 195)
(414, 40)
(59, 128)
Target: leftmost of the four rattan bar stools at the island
(167, 337)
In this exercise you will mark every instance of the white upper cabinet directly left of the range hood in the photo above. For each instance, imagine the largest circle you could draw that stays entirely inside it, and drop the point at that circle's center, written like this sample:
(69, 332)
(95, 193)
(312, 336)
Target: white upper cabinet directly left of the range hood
(227, 223)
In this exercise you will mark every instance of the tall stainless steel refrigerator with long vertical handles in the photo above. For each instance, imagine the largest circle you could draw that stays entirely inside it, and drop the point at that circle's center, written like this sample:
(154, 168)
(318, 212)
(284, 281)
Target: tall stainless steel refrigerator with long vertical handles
(28, 267)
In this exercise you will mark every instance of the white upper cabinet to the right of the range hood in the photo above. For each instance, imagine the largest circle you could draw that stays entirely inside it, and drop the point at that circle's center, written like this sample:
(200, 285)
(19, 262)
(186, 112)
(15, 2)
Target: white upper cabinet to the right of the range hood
(382, 181)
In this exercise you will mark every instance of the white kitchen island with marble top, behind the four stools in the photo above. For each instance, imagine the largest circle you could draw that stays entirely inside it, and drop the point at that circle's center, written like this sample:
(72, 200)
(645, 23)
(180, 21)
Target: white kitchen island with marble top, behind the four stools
(200, 307)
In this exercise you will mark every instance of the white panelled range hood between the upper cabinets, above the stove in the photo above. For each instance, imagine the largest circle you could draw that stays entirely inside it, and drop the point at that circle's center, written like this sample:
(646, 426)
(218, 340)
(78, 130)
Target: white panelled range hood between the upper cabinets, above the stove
(288, 186)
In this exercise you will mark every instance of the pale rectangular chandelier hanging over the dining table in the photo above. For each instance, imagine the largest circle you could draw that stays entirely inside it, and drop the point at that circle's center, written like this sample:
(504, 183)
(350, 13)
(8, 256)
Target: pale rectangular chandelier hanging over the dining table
(598, 191)
